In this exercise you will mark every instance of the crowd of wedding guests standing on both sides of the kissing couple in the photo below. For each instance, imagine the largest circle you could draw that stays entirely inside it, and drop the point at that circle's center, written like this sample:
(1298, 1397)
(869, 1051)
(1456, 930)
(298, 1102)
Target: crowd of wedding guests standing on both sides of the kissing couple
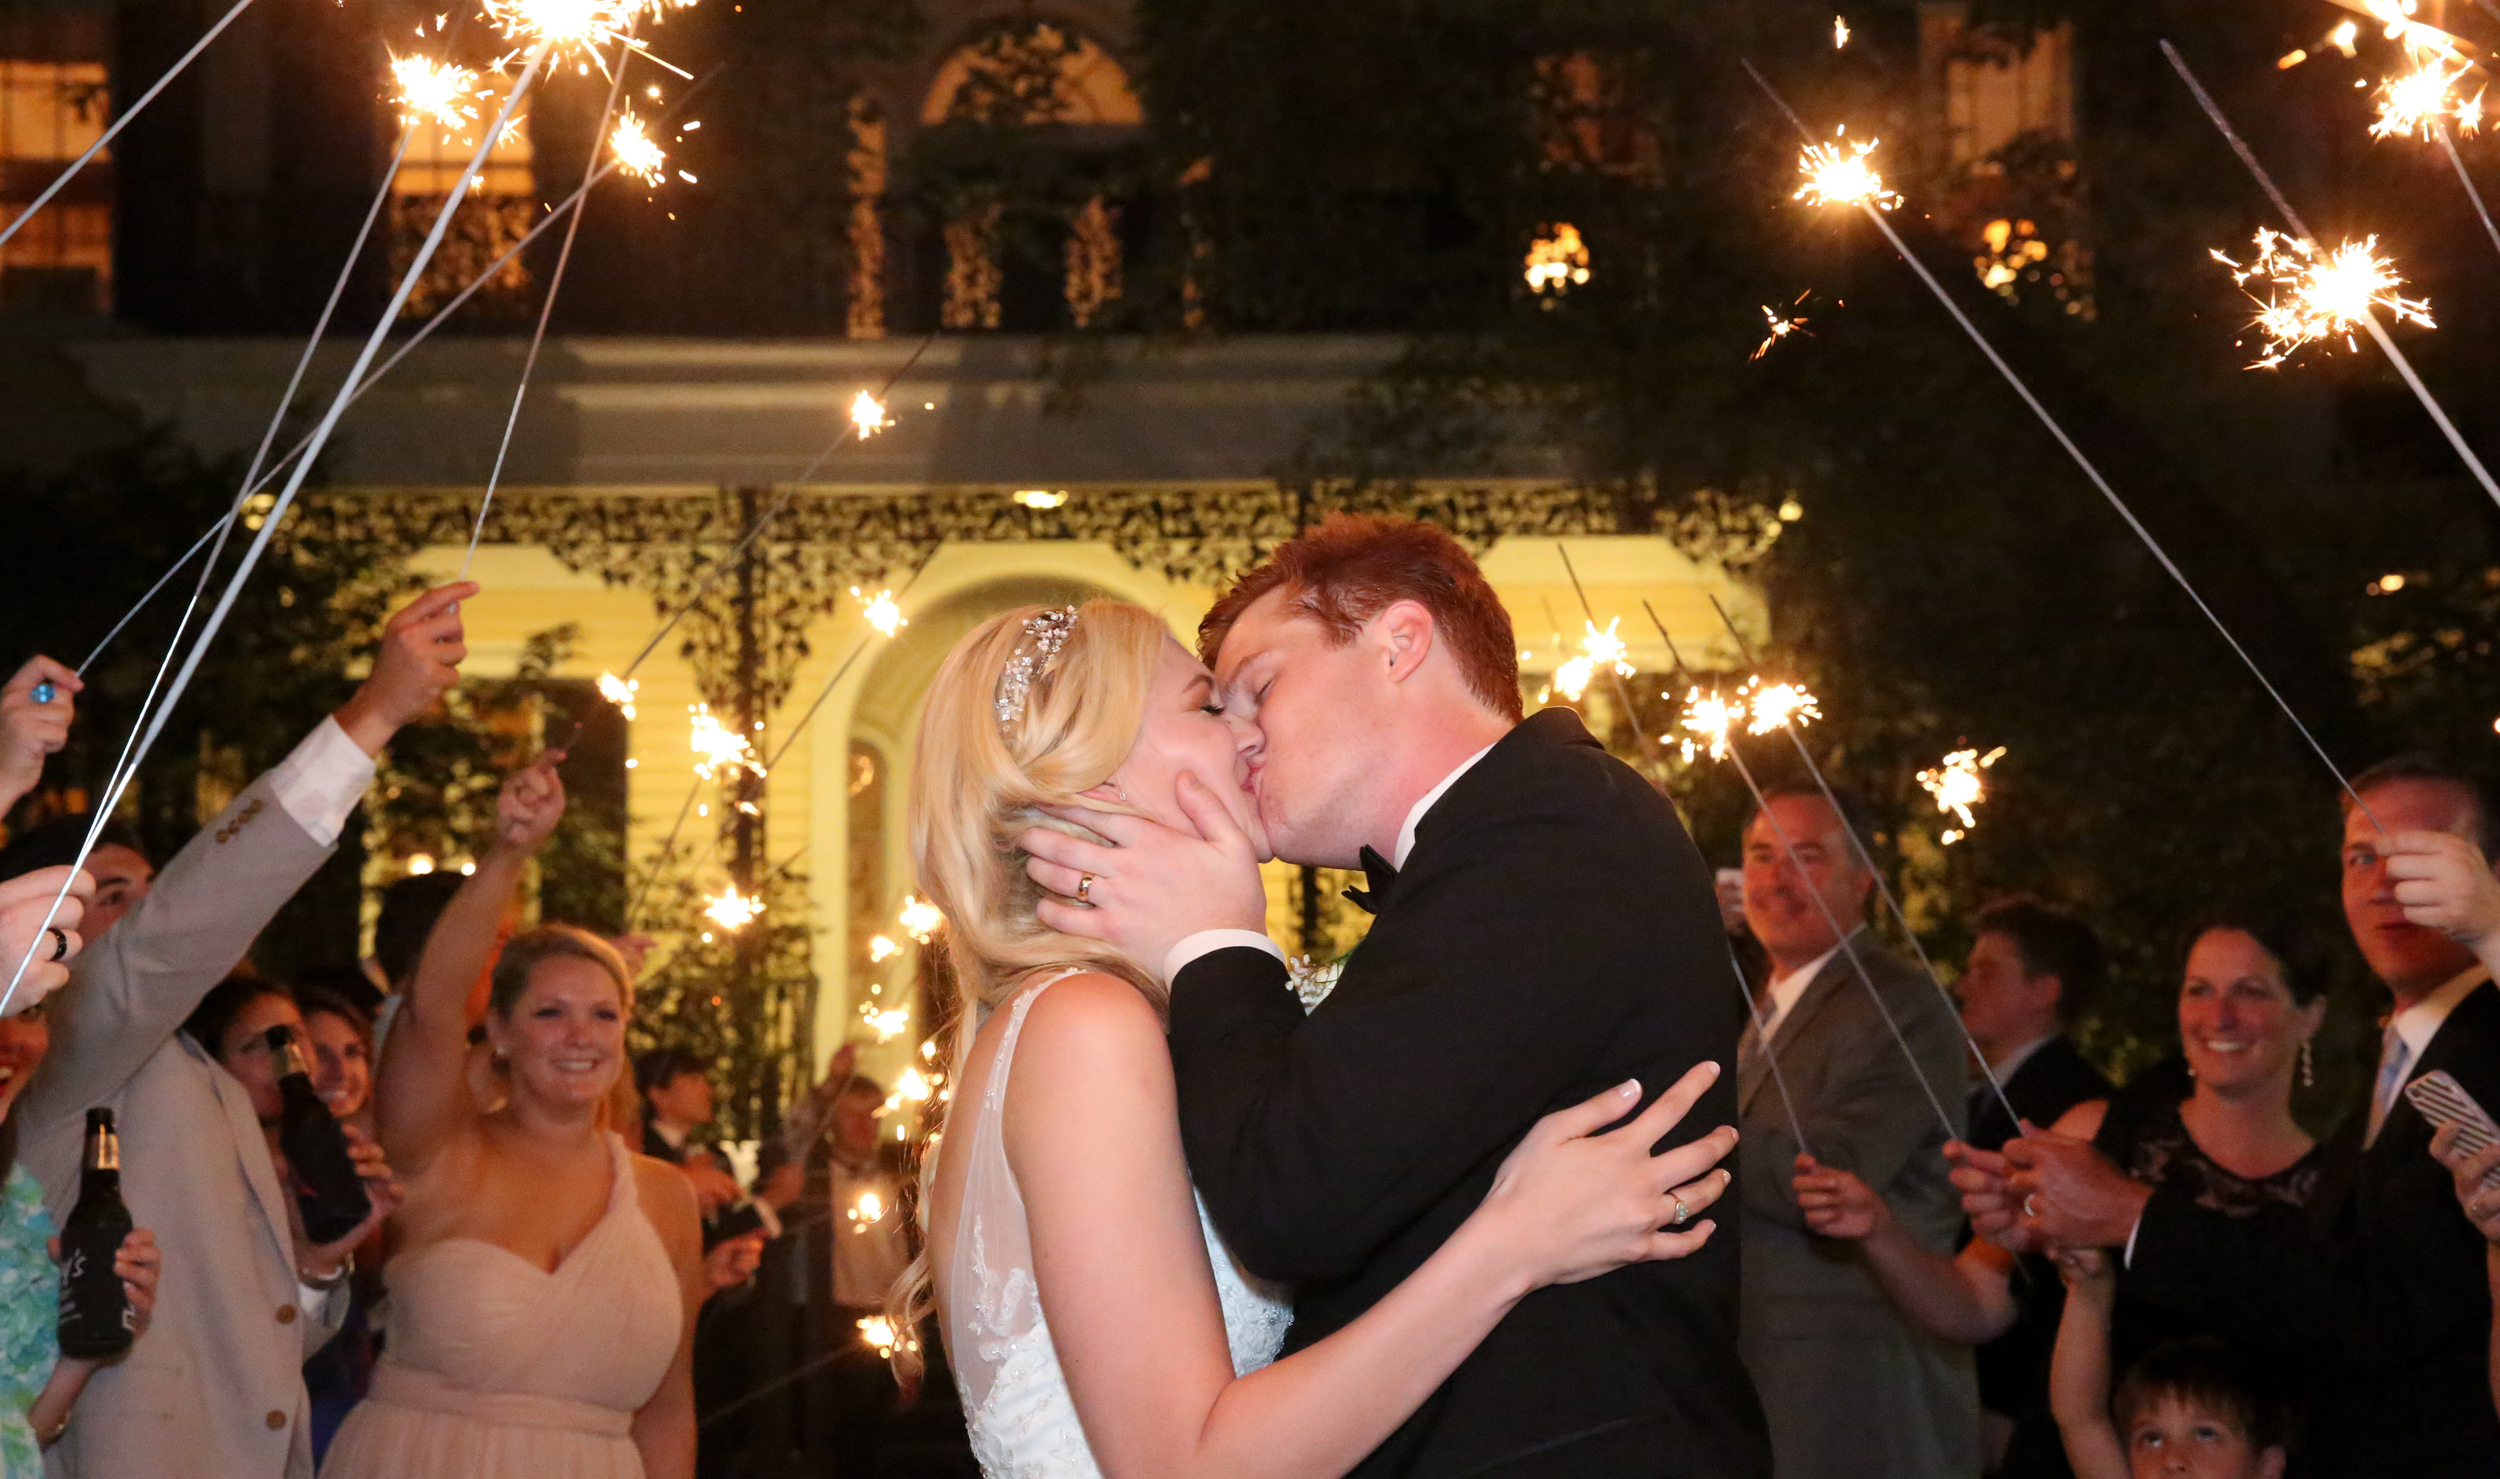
(1966, 1250)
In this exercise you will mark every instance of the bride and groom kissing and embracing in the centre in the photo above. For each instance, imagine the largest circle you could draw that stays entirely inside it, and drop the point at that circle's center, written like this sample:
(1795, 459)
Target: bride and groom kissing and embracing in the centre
(1449, 1220)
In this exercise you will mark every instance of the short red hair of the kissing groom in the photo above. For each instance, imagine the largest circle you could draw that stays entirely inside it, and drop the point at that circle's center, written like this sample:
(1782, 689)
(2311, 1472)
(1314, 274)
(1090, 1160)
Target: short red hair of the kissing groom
(1356, 566)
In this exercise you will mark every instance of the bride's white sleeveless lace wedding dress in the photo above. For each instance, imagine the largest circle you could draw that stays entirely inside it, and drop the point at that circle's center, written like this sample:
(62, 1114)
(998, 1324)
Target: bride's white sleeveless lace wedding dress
(1016, 1400)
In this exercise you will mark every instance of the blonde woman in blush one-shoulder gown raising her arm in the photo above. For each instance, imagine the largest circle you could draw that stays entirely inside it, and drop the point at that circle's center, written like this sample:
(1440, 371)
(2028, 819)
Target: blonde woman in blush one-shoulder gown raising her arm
(546, 1280)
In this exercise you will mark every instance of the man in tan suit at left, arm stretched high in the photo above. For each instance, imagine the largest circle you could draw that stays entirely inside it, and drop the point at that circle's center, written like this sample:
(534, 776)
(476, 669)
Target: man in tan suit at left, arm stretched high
(214, 1390)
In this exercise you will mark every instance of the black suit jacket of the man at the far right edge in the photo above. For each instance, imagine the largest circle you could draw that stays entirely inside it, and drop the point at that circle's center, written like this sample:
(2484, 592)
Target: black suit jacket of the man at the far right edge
(2376, 1293)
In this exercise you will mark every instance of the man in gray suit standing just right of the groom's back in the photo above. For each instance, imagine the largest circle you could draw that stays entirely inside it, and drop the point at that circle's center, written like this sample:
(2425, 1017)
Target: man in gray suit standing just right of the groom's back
(1851, 1388)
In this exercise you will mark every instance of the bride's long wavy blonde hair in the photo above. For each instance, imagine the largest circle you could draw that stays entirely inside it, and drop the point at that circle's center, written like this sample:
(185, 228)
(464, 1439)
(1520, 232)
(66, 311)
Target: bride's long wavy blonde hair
(979, 783)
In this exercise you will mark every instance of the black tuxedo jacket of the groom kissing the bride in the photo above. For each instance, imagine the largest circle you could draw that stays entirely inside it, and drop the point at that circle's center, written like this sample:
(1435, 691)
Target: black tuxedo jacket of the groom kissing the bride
(1554, 933)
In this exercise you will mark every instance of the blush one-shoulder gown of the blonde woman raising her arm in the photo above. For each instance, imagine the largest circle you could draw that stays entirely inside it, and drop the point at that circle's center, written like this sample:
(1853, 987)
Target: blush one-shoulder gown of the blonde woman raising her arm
(501, 1370)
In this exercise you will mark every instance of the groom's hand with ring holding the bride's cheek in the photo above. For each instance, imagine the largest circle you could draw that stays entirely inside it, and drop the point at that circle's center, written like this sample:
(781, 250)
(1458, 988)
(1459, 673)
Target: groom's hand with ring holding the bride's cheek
(1154, 886)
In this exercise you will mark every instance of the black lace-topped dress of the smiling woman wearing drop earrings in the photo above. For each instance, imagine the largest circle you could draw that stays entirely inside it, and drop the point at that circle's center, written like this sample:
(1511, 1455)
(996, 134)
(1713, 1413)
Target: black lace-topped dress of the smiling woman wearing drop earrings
(2146, 1138)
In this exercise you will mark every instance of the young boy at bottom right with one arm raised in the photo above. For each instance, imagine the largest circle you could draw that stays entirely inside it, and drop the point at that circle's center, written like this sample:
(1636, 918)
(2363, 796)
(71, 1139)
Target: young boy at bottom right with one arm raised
(2189, 1408)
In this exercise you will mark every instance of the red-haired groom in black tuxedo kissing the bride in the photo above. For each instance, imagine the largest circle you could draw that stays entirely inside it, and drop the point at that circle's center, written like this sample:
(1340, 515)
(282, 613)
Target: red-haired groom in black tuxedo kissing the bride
(1544, 928)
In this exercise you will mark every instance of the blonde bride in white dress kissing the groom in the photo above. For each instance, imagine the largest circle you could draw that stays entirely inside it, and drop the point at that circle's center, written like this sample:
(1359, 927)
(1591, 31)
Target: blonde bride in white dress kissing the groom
(1091, 1313)
